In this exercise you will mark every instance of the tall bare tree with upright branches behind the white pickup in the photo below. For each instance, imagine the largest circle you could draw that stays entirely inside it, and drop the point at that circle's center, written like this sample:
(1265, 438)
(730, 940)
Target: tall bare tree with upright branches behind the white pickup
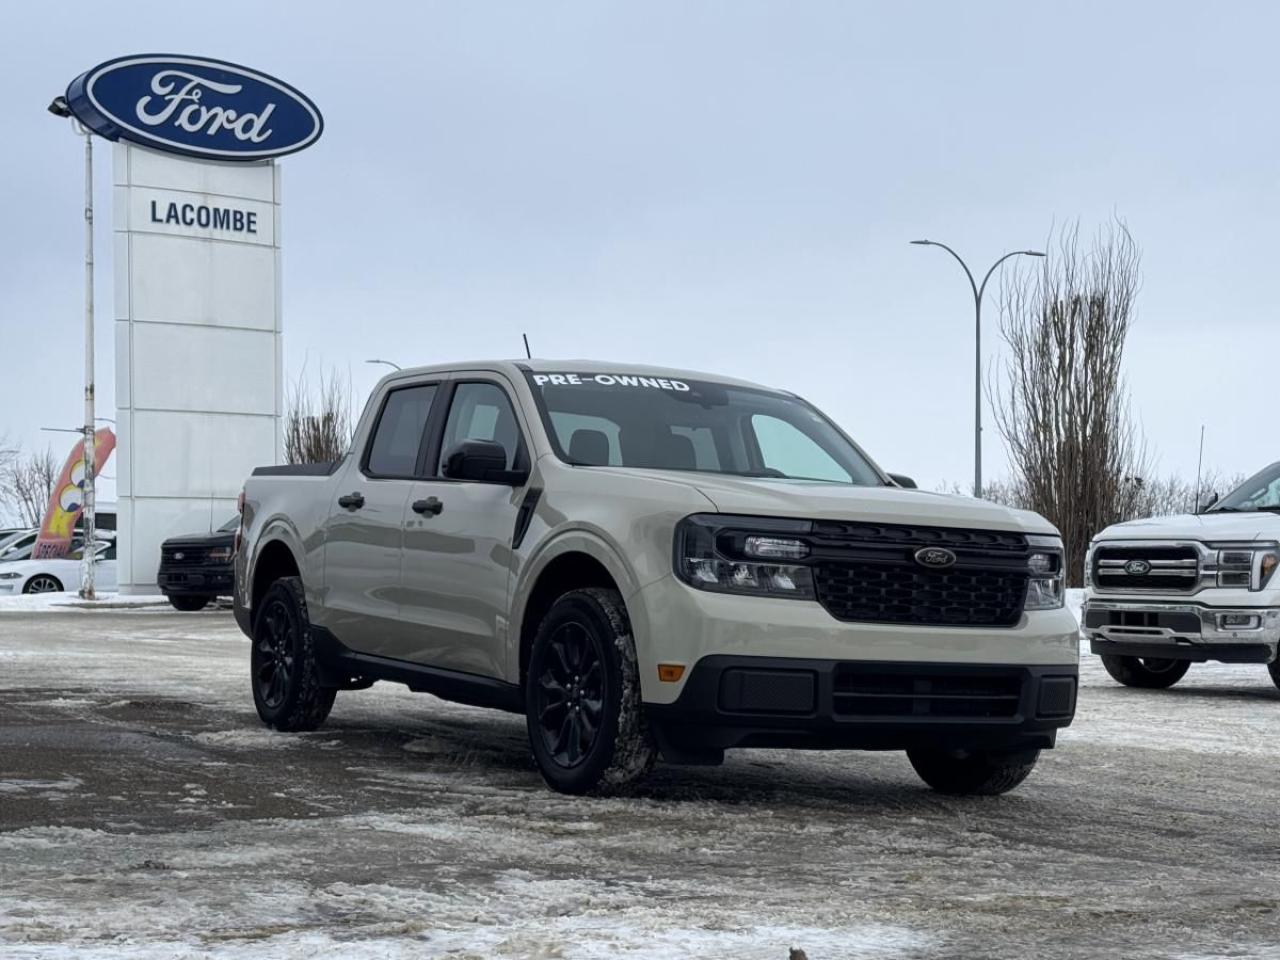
(1063, 408)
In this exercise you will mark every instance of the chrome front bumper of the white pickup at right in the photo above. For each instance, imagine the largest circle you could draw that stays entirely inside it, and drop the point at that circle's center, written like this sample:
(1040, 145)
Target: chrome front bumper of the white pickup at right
(1182, 632)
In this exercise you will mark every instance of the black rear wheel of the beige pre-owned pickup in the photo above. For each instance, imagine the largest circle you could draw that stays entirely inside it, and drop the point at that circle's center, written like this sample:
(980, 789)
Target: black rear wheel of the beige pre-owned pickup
(286, 676)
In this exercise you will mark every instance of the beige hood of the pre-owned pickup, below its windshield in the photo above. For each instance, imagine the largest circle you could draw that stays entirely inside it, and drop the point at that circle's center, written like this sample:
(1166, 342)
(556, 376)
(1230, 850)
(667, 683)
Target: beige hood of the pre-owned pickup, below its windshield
(812, 500)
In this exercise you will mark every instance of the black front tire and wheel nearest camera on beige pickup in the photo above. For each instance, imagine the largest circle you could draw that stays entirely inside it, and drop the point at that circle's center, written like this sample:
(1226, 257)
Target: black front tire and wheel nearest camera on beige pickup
(586, 717)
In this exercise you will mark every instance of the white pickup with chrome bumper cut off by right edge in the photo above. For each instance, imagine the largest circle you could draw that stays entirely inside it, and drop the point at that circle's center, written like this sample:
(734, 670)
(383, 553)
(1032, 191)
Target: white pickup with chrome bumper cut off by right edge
(1165, 593)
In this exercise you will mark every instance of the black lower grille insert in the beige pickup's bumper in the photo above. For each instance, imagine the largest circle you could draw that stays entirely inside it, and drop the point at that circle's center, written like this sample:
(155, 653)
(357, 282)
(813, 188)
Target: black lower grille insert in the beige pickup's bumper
(862, 692)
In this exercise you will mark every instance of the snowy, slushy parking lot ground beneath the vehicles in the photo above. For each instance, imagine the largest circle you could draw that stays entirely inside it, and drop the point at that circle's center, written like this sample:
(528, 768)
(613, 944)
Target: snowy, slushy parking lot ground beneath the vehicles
(147, 813)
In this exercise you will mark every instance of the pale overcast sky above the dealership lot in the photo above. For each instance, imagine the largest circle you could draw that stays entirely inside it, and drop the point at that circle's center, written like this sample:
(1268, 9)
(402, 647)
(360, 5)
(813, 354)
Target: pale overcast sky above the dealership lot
(720, 186)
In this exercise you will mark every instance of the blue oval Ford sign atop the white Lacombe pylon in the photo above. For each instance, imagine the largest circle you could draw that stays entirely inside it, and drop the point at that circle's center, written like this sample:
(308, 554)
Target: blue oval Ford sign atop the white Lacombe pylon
(195, 107)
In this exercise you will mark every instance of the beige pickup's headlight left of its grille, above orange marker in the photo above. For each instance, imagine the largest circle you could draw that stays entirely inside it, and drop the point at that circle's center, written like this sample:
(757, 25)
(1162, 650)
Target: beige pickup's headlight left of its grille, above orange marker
(725, 554)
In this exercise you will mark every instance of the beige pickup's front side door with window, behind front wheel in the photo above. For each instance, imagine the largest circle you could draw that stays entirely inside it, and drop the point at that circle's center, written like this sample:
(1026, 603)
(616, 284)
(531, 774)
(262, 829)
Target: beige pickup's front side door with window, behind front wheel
(456, 577)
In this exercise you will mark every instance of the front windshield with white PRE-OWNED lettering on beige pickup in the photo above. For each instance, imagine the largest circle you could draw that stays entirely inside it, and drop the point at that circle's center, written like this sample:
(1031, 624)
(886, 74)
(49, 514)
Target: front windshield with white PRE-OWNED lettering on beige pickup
(625, 420)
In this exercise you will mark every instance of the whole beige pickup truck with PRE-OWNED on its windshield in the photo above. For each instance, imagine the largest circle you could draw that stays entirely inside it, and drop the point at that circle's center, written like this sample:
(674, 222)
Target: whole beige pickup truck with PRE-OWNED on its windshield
(650, 563)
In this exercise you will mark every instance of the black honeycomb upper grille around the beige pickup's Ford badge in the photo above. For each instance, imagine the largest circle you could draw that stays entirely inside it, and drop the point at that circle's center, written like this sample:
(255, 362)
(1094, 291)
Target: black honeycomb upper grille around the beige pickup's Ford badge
(868, 573)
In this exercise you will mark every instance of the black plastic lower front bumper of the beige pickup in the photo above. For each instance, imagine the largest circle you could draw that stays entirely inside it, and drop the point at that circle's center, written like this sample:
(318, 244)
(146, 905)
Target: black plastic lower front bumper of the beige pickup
(778, 702)
